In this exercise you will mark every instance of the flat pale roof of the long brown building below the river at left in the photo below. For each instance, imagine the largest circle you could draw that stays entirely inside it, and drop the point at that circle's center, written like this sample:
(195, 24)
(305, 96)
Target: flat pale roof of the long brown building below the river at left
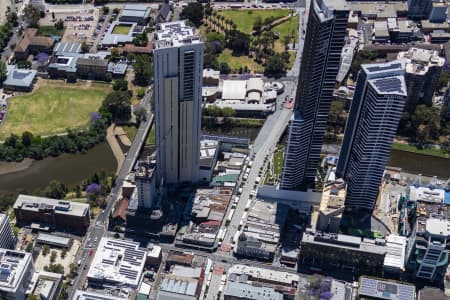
(62, 207)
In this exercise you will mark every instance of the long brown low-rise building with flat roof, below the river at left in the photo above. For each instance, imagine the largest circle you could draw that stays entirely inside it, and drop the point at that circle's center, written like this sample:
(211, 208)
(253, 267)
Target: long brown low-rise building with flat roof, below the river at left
(54, 213)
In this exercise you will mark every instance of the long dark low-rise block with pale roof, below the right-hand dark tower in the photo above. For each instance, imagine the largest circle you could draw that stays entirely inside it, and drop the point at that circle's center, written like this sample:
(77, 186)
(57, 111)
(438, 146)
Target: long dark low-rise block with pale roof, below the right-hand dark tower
(331, 250)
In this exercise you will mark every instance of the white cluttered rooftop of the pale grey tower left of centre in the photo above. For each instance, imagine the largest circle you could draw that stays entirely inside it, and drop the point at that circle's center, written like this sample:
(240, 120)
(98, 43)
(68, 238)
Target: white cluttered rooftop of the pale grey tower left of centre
(175, 34)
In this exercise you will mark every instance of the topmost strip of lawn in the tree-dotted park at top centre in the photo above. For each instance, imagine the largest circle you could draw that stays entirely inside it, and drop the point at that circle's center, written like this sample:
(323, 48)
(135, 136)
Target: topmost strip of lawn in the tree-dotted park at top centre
(245, 18)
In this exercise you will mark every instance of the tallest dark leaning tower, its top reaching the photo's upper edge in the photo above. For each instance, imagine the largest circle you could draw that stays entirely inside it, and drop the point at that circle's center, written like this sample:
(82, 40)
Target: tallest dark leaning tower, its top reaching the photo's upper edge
(324, 40)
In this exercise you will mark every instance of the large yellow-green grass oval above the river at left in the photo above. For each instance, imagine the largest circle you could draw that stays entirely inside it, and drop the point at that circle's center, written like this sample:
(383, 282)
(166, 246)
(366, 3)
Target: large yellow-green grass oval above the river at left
(53, 107)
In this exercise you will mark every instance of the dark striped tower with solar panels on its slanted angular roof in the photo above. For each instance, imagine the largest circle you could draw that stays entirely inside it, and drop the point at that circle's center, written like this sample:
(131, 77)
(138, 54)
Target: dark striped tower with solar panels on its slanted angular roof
(373, 119)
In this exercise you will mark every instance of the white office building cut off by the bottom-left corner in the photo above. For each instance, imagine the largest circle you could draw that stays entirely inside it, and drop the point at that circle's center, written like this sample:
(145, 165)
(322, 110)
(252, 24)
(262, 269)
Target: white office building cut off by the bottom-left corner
(16, 270)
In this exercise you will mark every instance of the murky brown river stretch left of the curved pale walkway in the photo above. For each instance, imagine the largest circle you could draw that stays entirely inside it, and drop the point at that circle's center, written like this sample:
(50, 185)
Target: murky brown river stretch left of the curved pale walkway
(69, 169)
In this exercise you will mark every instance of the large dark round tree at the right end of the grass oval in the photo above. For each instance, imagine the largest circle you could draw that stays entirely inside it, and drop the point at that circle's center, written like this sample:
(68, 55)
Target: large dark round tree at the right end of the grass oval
(118, 104)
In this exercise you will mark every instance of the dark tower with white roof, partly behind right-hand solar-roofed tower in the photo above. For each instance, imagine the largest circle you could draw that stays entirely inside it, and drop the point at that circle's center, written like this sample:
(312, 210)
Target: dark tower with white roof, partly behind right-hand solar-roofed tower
(423, 68)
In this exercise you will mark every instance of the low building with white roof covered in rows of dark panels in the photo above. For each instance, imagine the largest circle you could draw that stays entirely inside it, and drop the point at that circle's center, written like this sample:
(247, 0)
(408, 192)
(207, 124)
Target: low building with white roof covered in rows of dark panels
(117, 262)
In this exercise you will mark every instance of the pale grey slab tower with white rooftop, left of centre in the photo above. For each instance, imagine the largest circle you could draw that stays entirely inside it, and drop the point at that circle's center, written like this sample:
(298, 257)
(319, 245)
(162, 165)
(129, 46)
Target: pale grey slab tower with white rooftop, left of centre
(178, 66)
